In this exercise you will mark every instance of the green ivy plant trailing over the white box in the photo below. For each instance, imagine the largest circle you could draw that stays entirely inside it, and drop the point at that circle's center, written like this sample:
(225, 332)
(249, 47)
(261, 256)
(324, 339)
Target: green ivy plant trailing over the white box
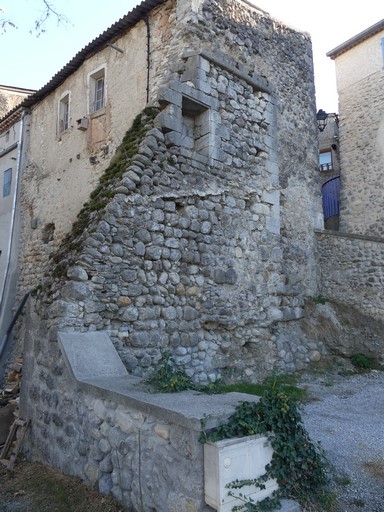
(299, 466)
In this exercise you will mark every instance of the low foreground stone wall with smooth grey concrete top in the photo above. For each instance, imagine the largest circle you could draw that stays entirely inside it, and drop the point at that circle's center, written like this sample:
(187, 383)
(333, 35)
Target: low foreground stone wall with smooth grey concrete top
(107, 429)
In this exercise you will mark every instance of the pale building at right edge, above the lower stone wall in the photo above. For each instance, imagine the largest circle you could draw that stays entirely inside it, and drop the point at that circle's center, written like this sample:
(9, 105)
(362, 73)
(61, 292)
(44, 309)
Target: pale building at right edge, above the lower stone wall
(360, 75)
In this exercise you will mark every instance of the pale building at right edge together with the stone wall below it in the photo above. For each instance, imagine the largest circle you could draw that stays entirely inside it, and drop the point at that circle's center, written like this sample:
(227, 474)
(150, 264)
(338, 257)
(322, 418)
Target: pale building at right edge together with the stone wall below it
(351, 261)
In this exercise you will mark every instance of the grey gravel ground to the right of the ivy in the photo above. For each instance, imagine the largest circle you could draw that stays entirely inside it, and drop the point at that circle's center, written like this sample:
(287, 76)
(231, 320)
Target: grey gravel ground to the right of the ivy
(346, 414)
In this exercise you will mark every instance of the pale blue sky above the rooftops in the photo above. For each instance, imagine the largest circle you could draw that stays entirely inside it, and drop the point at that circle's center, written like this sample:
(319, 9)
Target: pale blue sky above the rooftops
(29, 61)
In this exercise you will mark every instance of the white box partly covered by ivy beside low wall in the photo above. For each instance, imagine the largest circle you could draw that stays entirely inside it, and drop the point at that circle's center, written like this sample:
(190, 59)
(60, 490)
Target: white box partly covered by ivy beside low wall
(236, 459)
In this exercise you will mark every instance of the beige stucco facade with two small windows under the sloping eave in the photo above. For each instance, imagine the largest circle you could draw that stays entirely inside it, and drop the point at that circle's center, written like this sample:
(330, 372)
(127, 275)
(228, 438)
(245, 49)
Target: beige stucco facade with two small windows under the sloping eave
(64, 167)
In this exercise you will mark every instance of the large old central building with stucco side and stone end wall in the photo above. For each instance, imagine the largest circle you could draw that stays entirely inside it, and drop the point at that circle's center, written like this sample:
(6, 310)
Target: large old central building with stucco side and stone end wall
(233, 269)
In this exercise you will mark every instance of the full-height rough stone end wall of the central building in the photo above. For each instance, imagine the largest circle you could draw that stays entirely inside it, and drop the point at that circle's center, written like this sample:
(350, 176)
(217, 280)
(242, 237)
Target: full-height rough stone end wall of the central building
(209, 243)
